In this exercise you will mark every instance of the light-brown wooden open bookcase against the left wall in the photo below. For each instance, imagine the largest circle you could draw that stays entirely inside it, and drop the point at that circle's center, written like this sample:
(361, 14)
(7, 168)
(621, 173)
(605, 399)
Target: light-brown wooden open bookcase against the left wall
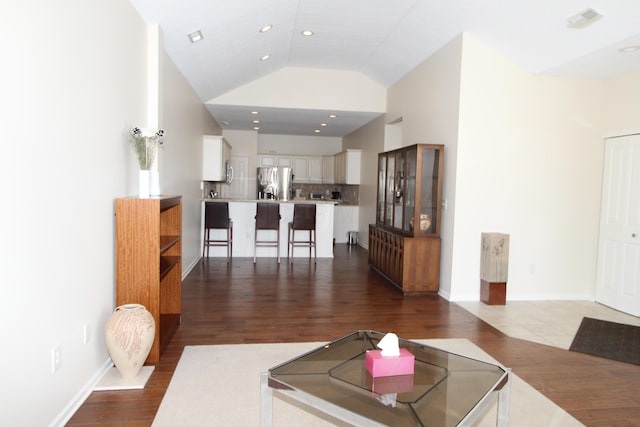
(149, 261)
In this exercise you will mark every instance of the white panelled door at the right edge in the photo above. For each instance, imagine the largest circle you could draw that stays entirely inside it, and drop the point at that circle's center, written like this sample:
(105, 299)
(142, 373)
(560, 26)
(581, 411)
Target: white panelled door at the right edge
(618, 270)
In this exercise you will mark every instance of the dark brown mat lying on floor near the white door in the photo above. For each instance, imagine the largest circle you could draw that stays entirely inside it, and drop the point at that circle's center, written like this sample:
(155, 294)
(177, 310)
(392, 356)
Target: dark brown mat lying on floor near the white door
(610, 340)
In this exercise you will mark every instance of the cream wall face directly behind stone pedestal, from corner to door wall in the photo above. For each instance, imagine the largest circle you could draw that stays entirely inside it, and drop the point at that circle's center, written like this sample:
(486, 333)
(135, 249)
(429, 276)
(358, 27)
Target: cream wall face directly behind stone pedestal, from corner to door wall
(529, 164)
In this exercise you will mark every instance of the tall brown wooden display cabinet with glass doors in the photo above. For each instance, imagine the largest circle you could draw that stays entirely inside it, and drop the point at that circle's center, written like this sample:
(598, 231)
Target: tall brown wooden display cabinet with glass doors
(404, 244)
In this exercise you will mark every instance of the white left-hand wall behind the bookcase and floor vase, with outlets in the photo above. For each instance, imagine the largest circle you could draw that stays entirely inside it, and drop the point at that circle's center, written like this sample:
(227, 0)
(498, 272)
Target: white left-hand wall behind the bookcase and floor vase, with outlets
(74, 82)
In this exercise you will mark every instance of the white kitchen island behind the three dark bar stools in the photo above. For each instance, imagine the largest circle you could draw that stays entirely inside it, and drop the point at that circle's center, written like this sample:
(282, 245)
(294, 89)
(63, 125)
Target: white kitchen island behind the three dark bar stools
(243, 212)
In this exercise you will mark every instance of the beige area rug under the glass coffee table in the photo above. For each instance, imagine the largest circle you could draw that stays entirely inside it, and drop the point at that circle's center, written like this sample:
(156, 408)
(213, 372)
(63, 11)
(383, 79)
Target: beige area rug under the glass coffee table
(219, 385)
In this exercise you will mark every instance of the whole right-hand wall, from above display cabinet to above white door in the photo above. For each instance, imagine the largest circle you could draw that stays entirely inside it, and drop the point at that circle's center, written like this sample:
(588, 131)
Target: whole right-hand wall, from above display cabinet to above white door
(523, 155)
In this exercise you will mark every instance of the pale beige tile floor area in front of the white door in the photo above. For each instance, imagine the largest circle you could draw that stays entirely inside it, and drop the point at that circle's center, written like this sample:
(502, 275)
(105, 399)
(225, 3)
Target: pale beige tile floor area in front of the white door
(552, 323)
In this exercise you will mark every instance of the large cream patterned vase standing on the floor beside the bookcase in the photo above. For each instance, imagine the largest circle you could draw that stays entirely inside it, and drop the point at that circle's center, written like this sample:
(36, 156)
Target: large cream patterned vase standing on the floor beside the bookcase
(129, 334)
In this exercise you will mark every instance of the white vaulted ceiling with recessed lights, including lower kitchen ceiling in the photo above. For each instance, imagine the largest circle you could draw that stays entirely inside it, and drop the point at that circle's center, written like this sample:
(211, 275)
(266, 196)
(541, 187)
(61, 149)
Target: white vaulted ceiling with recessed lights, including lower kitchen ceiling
(383, 39)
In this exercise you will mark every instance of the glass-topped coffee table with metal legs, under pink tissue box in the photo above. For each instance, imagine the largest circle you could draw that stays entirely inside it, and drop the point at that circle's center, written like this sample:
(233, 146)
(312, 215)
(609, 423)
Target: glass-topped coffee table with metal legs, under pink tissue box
(446, 389)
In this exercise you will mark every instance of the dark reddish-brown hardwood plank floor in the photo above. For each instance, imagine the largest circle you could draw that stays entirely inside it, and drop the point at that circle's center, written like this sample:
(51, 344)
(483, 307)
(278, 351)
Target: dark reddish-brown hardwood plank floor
(242, 303)
